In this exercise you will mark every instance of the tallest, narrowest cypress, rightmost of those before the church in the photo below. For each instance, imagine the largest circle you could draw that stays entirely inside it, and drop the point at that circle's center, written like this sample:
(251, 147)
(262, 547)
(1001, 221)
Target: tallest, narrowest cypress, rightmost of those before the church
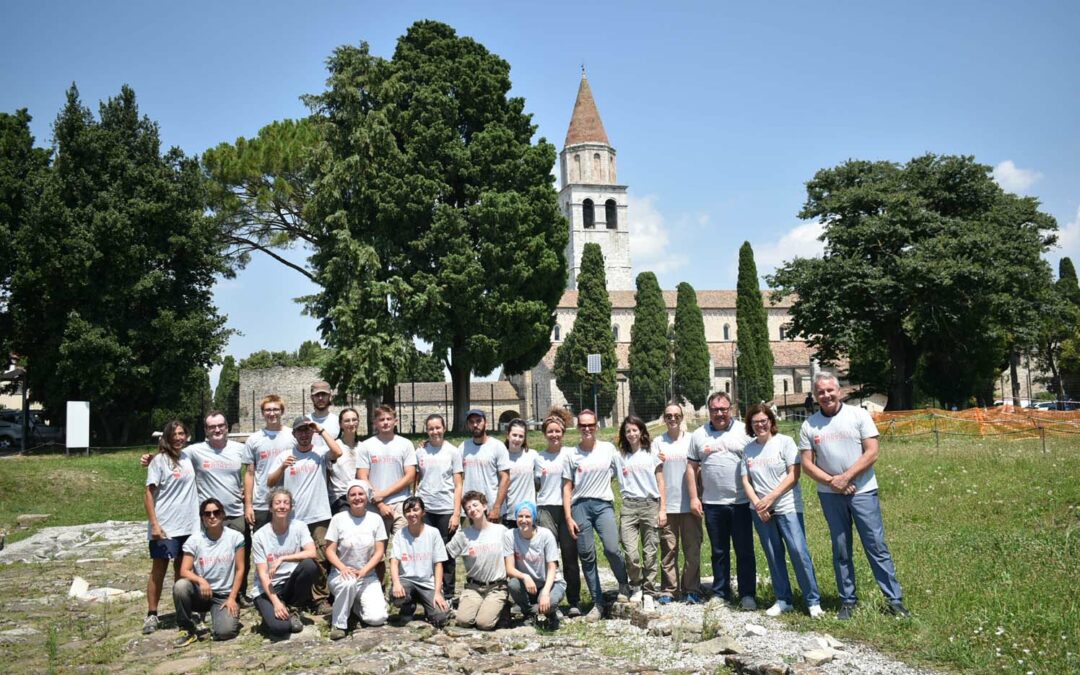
(755, 359)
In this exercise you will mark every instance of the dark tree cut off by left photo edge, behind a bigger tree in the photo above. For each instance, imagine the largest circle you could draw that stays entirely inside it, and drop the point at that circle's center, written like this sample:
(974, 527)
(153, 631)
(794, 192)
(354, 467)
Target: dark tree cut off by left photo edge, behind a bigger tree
(21, 170)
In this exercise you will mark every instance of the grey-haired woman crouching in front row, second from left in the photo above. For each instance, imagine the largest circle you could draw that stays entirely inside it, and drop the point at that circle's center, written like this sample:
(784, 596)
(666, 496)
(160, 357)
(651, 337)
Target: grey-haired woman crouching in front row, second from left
(286, 569)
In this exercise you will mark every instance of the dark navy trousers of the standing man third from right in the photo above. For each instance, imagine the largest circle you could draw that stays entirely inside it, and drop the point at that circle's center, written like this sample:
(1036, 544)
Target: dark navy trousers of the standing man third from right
(730, 525)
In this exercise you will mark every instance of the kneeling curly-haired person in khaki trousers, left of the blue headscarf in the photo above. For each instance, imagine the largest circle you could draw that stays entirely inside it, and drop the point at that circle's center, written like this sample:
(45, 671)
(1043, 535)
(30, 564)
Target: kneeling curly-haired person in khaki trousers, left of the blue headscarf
(481, 545)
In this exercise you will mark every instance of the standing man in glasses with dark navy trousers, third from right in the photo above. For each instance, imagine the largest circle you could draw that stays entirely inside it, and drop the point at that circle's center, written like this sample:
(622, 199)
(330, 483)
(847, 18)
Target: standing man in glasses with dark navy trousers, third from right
(717, 492)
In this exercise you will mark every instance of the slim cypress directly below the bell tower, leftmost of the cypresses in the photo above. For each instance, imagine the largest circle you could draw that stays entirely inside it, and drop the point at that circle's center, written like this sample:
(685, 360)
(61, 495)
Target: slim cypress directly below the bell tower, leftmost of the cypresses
(591, 334)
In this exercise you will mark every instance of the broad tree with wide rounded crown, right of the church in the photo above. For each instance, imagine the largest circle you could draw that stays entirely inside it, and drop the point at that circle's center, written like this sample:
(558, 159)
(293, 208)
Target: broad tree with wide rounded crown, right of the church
(925, 260)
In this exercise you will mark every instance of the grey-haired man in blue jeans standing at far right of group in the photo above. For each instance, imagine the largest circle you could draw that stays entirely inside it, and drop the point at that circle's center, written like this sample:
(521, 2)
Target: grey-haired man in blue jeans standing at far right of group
(840, 445)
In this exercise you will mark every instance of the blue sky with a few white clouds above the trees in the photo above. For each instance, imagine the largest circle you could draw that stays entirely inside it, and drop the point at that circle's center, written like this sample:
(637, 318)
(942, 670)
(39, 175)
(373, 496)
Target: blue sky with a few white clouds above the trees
(720, 112)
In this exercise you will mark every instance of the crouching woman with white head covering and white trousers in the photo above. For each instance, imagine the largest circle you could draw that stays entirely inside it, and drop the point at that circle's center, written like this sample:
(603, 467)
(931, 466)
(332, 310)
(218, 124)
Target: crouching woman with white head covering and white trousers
(356, 543)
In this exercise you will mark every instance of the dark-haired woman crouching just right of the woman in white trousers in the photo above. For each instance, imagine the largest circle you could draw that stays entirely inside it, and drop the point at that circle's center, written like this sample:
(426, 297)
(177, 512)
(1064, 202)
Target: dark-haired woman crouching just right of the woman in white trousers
(416, 568)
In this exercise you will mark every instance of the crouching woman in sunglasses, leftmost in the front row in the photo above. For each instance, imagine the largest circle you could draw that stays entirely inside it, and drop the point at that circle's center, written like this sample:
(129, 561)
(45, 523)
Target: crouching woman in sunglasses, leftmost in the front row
(211, 576)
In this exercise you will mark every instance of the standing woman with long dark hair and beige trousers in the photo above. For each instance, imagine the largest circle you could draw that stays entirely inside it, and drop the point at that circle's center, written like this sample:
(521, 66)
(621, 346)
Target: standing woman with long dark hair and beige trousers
(641, 479)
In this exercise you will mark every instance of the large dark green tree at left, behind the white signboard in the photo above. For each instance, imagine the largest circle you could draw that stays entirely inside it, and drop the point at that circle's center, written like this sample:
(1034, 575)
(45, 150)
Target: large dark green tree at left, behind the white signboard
(112, 292)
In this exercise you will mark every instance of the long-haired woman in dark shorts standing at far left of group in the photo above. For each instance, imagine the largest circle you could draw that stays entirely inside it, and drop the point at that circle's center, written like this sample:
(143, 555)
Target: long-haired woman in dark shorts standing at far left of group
(172, 509)
